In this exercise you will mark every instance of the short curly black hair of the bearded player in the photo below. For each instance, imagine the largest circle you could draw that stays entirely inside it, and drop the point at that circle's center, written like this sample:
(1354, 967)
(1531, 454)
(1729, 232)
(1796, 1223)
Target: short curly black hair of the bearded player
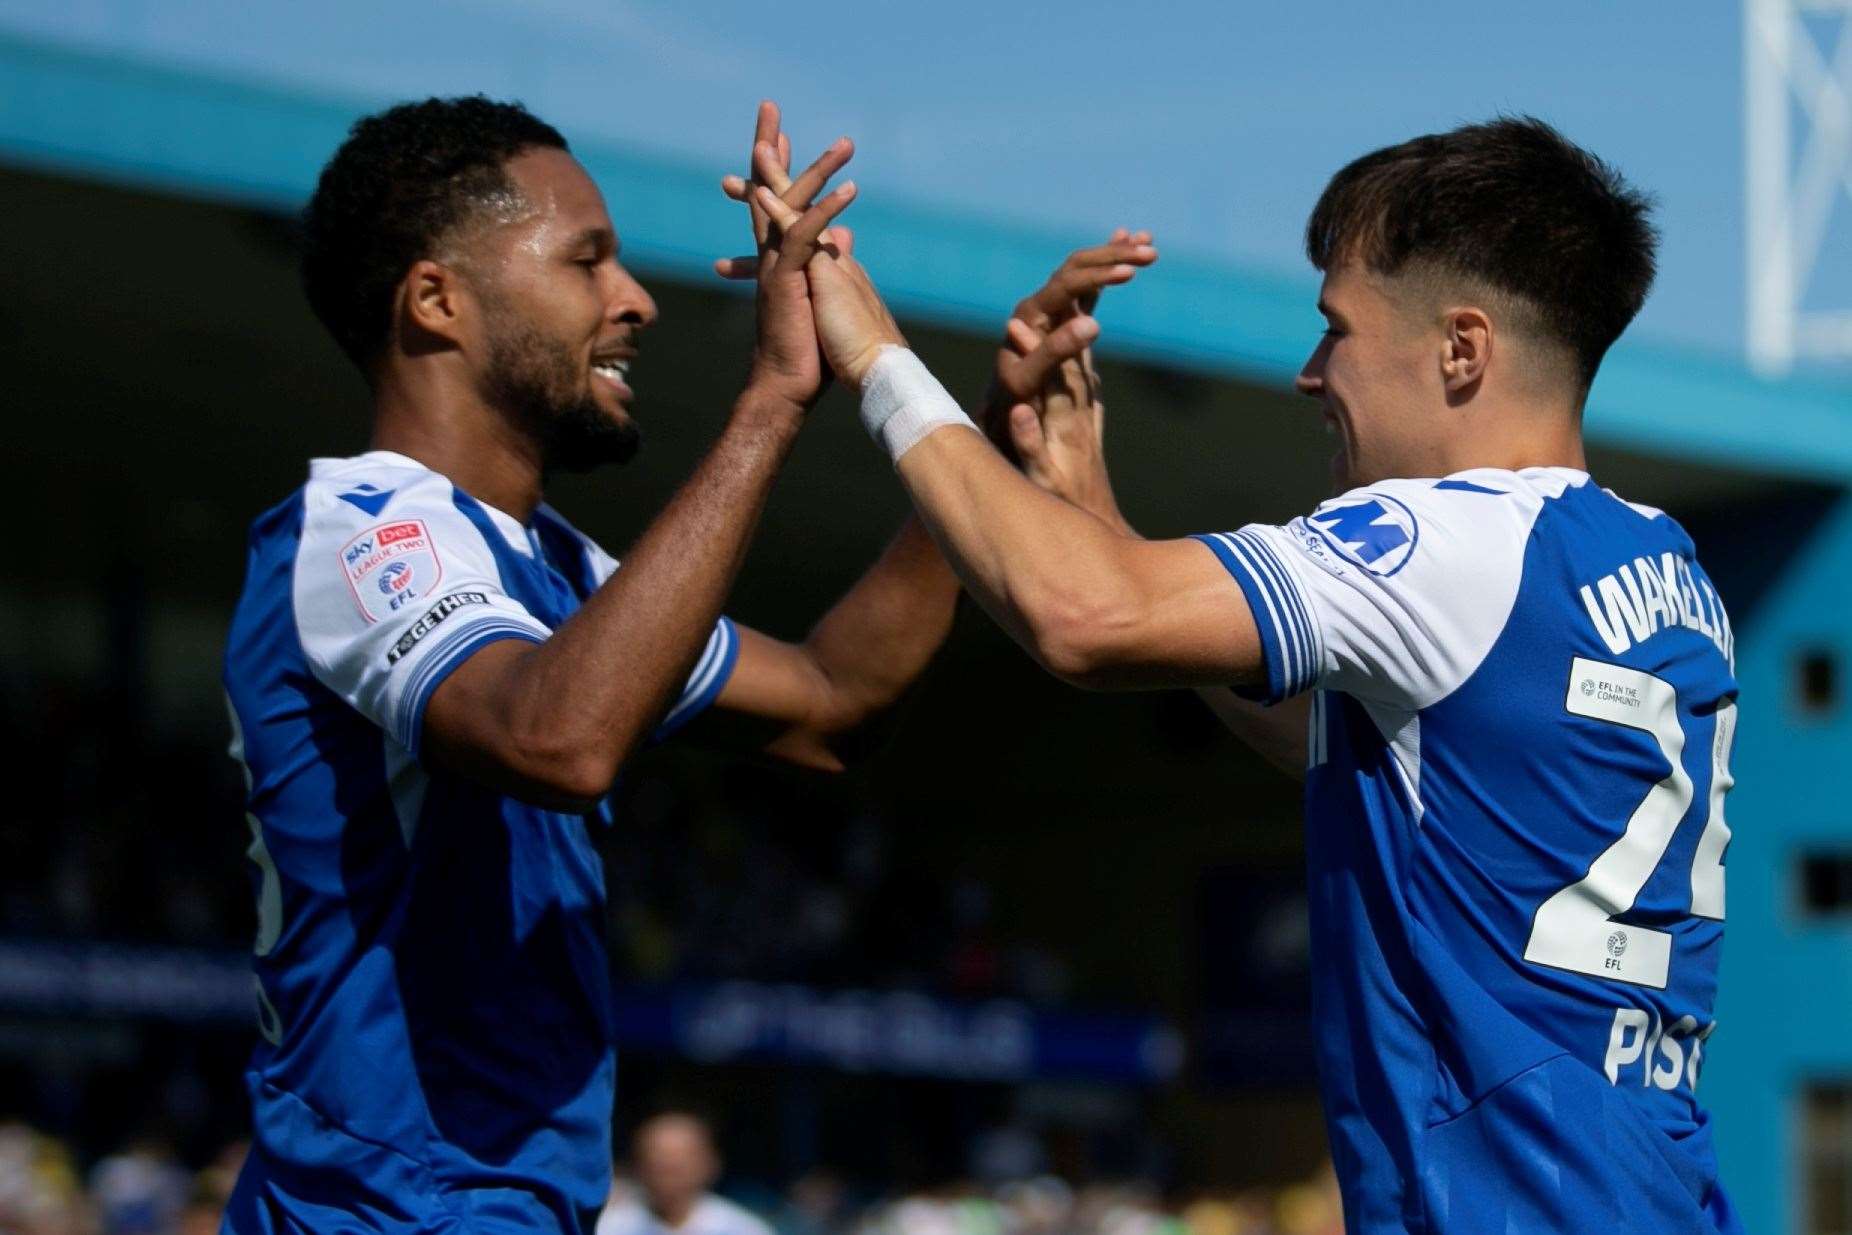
(401, 182)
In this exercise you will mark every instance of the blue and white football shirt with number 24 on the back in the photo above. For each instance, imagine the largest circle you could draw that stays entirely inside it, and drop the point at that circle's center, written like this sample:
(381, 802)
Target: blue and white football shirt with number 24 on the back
(1520, 753)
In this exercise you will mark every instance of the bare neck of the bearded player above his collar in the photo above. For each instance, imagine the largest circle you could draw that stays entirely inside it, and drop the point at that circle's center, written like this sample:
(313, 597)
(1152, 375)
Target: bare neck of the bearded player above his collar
(460, 438)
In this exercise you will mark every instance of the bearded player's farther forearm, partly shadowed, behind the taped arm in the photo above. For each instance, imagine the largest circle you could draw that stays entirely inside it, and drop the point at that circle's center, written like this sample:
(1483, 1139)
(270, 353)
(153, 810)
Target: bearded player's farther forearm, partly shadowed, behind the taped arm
(881, 636)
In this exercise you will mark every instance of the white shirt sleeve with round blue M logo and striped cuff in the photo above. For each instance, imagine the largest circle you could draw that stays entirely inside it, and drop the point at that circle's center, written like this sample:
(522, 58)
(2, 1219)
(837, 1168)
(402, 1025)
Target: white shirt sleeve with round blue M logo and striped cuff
(1392, 593)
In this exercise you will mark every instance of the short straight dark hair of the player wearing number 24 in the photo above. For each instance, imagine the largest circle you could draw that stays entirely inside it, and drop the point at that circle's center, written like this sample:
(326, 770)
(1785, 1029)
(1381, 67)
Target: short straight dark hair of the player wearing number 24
(1510, 205)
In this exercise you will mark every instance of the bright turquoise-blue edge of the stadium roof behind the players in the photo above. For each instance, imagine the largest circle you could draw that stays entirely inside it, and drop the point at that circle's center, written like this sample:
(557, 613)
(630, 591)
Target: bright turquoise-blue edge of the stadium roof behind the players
(258, 143)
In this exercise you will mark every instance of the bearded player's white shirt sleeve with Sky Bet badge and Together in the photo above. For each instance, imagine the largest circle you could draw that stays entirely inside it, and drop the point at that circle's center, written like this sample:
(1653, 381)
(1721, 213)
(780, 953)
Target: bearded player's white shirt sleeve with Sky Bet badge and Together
(392, 601)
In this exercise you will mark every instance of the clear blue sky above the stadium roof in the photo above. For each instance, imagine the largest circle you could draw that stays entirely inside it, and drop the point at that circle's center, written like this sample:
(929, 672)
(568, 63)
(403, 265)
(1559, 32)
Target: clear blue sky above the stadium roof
(1214, 125)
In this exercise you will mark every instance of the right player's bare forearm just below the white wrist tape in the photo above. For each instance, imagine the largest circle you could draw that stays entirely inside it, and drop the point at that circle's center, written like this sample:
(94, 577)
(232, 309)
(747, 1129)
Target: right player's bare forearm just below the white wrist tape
(1045, 571)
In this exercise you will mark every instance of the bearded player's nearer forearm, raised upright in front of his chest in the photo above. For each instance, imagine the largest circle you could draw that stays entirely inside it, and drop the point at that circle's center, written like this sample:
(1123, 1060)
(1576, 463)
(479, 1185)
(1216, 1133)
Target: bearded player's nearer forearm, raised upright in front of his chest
(582, 701)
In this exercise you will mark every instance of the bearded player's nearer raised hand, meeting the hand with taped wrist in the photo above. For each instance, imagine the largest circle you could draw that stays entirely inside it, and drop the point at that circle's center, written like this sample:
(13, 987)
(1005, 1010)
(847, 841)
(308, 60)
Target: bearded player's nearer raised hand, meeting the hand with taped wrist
(786, 358)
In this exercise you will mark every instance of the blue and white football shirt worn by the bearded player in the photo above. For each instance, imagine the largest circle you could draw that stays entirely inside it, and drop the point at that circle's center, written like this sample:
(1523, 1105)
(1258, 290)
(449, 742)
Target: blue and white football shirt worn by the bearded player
(432, 980)
